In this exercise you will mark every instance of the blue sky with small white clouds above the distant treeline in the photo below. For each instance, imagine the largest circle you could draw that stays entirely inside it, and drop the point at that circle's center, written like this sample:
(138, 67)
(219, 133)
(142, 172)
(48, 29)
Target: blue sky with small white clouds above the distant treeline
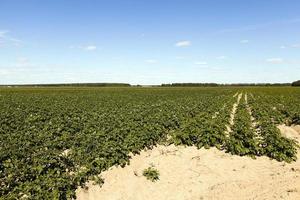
(149, 42)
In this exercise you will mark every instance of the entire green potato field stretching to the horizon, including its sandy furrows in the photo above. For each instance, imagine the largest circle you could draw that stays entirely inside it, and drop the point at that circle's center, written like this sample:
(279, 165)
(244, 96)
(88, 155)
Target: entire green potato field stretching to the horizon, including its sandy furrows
(53, 140)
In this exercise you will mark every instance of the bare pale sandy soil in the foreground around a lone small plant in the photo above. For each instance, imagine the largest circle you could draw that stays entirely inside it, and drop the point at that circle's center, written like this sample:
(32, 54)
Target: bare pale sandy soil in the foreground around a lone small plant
(188, 173)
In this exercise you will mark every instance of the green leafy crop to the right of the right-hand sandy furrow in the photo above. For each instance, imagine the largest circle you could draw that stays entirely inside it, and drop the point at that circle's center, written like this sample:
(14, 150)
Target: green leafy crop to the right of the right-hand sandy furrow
(271, 109)
